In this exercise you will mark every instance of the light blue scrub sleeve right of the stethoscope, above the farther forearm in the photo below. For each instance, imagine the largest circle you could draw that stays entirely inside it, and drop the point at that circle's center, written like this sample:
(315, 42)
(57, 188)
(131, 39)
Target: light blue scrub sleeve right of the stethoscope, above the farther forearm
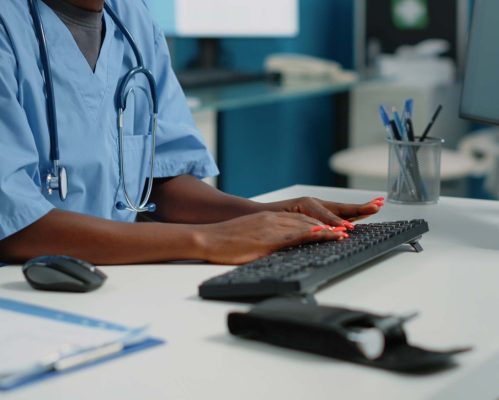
(180, 148)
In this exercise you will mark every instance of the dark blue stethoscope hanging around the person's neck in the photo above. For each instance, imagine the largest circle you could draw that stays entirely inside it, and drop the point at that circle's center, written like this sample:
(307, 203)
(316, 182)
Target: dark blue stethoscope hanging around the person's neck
(57, 177)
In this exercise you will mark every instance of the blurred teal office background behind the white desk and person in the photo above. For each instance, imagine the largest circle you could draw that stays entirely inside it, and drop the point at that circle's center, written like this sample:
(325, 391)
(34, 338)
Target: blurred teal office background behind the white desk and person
(287, 91)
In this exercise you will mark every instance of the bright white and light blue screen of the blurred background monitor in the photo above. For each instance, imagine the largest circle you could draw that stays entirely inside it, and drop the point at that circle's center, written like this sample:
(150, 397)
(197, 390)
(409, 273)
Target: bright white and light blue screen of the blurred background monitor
(226, 18)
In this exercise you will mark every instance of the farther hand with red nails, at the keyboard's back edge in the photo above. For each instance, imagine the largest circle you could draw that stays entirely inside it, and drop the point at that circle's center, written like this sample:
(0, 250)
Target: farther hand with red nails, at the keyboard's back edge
(330, 213)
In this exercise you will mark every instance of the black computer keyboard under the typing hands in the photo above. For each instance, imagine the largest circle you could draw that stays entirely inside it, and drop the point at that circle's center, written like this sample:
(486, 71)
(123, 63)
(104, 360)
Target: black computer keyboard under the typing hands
(303, 269)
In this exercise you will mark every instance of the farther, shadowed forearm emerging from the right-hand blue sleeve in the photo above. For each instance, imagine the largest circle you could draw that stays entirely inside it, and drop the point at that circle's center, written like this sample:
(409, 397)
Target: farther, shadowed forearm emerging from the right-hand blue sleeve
(185, 199)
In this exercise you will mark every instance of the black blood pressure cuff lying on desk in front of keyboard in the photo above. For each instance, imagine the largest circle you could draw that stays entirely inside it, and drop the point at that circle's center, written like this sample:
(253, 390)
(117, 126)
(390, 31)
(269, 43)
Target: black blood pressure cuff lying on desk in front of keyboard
(327, 331)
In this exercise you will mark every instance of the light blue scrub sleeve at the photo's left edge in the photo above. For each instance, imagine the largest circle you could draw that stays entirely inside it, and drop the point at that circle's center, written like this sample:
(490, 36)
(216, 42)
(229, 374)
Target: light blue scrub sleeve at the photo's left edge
(21, 199)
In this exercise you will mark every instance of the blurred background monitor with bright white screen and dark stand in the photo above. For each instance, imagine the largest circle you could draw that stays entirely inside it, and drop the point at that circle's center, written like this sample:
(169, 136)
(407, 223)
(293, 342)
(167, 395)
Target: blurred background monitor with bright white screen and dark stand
(212, 20)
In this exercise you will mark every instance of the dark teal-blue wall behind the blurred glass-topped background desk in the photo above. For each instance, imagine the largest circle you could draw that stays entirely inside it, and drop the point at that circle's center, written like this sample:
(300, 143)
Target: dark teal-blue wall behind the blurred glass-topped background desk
(268, 147)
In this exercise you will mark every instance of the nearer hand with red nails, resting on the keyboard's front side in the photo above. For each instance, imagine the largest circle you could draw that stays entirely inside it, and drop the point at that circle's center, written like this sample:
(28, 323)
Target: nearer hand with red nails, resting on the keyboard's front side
(247, 238)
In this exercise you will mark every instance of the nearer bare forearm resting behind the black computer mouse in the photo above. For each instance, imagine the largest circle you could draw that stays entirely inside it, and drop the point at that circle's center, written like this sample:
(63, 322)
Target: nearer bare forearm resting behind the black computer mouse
(101, 241)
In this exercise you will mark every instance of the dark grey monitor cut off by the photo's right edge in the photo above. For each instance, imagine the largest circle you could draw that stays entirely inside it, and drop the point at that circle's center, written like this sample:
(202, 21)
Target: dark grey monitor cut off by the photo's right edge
(480, 99)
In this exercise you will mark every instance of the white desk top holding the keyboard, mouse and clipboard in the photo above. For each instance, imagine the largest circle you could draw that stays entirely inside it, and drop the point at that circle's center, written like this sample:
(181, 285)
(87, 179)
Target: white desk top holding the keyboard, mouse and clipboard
(453, 283)
